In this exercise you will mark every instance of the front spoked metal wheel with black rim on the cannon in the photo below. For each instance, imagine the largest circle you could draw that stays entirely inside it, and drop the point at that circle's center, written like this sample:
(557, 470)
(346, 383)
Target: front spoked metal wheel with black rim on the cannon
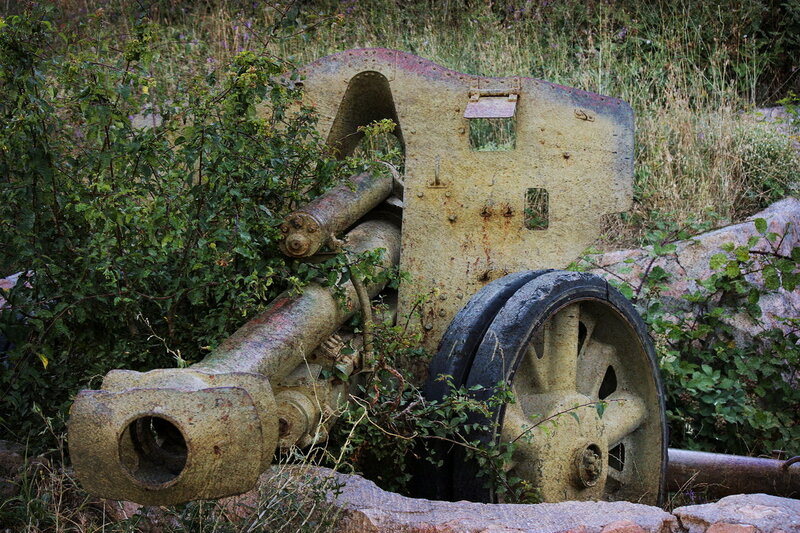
(588, 421)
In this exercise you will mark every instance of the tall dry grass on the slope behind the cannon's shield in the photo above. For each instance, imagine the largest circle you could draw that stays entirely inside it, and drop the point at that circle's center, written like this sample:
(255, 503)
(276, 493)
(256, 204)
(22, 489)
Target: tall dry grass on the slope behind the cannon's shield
(689, 69)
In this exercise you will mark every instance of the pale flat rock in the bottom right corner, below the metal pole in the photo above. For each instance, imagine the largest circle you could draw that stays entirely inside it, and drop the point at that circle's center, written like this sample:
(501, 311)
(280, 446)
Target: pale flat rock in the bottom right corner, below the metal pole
(768, 514)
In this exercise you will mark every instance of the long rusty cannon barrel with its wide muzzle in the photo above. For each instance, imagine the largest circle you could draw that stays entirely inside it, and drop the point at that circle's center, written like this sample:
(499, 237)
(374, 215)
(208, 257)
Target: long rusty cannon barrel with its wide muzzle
(173, 435)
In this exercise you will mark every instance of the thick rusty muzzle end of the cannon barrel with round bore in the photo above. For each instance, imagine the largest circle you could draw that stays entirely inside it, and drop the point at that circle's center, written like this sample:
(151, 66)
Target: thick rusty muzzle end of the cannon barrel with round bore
(163, 445)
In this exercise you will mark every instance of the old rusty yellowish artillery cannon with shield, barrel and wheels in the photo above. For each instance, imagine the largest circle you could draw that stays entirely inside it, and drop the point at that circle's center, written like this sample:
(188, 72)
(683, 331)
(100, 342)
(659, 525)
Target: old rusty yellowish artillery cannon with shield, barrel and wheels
(476, 229)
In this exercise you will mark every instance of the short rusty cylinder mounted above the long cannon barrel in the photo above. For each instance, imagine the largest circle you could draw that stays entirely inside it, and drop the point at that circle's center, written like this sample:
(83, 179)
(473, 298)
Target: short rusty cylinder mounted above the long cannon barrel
(309, 228)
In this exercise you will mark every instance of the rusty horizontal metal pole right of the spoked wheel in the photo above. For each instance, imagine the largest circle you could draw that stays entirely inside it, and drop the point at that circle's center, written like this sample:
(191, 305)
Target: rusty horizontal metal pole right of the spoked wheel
(722, 475)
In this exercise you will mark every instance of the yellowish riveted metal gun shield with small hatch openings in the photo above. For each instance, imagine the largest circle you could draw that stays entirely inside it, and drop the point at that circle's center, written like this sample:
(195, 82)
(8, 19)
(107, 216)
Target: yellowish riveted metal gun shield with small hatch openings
(464, 218)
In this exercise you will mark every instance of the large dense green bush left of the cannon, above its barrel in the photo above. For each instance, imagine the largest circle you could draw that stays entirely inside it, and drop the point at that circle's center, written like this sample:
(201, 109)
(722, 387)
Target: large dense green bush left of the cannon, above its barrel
(139, 245)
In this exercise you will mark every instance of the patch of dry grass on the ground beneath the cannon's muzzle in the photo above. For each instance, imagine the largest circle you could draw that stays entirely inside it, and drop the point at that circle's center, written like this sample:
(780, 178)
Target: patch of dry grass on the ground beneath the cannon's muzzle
(287, 499)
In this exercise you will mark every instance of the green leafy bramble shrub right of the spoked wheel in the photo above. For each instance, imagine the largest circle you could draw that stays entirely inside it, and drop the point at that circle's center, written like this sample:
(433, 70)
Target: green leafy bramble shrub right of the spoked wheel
(725, 394)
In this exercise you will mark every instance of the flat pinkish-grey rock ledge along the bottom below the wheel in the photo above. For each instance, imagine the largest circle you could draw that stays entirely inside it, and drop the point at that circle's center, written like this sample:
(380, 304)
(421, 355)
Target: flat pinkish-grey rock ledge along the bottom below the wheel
(362, 507)
